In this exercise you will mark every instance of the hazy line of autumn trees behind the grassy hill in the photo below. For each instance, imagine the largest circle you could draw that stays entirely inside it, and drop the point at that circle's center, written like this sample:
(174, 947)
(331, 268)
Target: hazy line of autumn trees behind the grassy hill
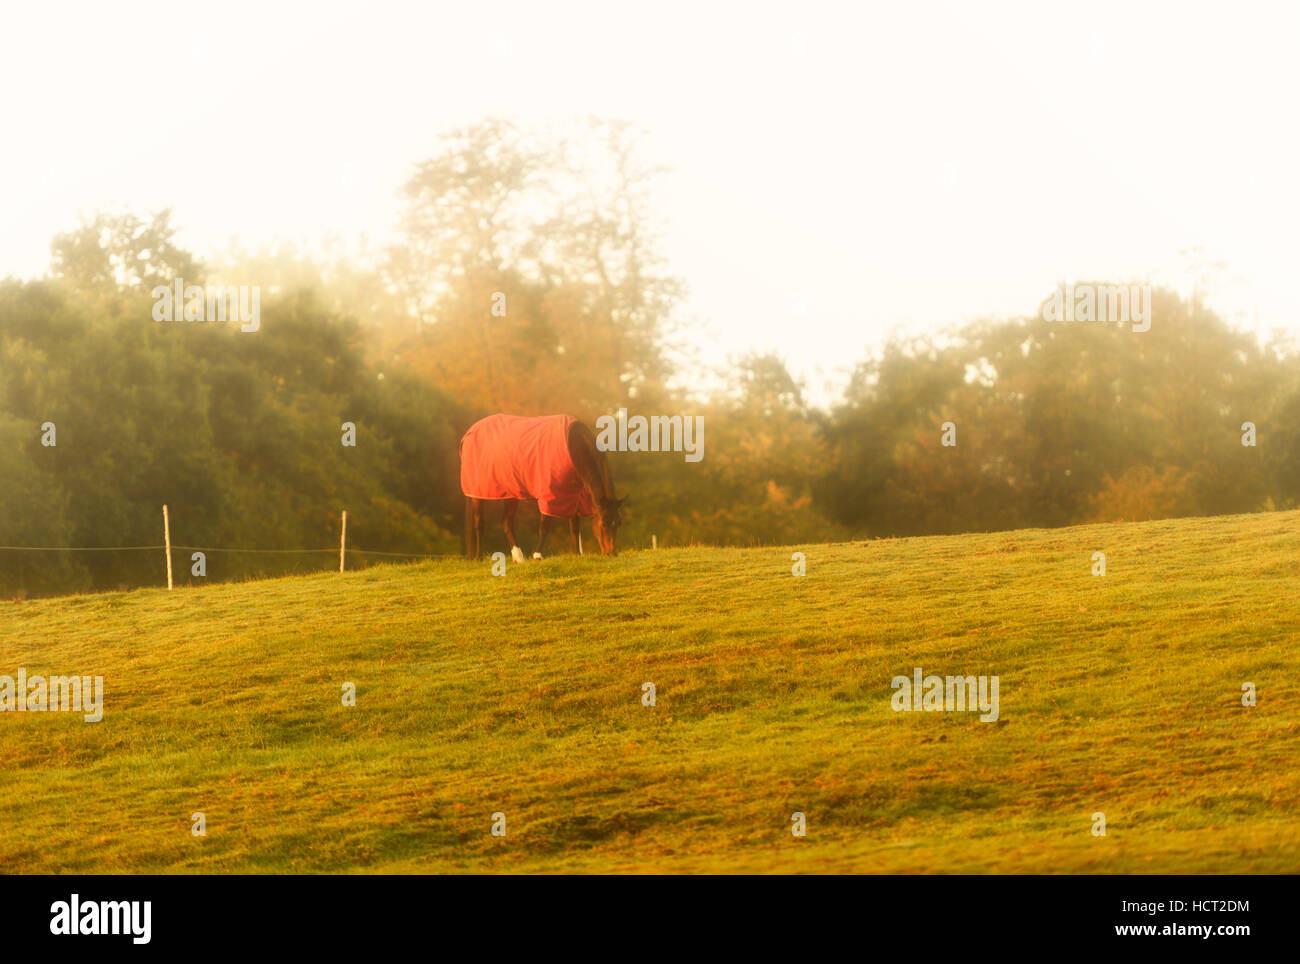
(528, 279)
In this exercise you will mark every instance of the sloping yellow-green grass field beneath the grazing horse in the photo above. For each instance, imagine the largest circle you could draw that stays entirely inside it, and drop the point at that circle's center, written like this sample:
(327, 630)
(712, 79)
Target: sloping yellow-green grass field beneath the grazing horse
(1119, 694)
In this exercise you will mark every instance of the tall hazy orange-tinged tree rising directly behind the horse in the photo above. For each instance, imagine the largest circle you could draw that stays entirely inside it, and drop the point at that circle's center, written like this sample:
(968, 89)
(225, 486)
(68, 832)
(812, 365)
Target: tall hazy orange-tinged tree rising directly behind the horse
(532, 272)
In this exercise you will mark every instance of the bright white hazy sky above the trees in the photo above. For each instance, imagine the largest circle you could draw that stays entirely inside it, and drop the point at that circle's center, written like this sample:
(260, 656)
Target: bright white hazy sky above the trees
(839, 170)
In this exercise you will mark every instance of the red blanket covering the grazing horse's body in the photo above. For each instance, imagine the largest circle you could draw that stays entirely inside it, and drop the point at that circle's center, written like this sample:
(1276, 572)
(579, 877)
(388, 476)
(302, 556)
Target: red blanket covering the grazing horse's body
(506, 457)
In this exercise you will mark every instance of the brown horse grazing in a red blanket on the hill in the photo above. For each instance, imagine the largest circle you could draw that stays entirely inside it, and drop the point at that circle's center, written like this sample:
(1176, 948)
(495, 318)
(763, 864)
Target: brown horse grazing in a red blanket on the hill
(551, 459)
